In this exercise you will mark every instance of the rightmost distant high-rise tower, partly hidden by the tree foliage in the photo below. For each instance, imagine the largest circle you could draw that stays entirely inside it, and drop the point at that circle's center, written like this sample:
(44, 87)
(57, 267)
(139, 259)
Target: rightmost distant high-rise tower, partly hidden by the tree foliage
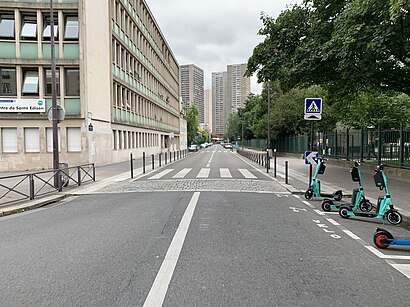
(238, 87)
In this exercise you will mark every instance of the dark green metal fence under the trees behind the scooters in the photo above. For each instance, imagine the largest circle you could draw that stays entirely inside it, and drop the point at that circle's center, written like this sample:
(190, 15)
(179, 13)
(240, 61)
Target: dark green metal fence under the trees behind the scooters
(390, 147)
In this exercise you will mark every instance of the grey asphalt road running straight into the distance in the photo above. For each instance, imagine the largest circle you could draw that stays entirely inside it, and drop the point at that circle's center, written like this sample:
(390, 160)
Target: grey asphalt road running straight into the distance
(175, 238)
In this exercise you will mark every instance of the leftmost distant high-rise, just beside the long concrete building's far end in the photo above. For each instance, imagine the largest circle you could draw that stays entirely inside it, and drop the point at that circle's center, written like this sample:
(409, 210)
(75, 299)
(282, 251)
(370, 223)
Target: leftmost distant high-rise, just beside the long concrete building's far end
(192, 87)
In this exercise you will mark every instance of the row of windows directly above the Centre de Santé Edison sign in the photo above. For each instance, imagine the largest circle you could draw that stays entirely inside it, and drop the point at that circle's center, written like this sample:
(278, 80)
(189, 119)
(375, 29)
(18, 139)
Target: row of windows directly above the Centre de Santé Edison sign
(29, 82)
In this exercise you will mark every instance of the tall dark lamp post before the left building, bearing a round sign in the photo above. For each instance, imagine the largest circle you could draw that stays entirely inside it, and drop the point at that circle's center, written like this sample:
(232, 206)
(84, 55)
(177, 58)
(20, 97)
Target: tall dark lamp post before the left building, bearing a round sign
(54, 121)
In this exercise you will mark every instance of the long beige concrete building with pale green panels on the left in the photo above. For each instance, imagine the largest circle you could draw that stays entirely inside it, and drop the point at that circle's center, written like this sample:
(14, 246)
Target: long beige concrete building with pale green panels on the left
(117, 80)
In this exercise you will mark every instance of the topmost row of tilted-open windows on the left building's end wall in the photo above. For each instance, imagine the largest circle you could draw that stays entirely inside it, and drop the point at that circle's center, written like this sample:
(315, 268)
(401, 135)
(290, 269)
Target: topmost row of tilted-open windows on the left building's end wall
(29, 26)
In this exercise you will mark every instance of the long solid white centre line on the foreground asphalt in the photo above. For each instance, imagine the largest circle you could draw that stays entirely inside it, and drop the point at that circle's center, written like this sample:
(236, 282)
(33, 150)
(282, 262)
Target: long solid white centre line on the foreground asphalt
(159, 288)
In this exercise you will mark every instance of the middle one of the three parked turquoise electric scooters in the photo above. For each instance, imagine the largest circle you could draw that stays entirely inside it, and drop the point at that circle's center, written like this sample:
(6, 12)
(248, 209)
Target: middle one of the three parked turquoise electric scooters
(358, 198)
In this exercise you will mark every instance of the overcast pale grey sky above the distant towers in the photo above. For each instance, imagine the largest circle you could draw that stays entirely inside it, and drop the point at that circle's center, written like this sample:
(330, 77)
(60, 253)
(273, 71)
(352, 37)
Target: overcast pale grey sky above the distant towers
(214, 33)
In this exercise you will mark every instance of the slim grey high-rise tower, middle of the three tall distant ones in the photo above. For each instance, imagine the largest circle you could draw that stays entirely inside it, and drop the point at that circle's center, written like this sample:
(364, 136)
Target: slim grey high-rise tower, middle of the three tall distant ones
(218, 103)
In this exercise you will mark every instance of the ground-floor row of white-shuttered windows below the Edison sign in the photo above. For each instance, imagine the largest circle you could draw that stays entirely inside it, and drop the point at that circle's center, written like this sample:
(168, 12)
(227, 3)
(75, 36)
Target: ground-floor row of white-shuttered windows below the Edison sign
(32, 140)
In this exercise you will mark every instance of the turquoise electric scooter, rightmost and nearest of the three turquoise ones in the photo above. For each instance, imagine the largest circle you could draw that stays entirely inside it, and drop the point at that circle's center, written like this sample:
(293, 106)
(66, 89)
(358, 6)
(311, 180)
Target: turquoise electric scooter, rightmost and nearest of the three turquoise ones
(384, 206)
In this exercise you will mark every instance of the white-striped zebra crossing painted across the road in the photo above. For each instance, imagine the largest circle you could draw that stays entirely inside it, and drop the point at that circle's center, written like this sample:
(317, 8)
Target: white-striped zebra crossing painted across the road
(203, 173)
